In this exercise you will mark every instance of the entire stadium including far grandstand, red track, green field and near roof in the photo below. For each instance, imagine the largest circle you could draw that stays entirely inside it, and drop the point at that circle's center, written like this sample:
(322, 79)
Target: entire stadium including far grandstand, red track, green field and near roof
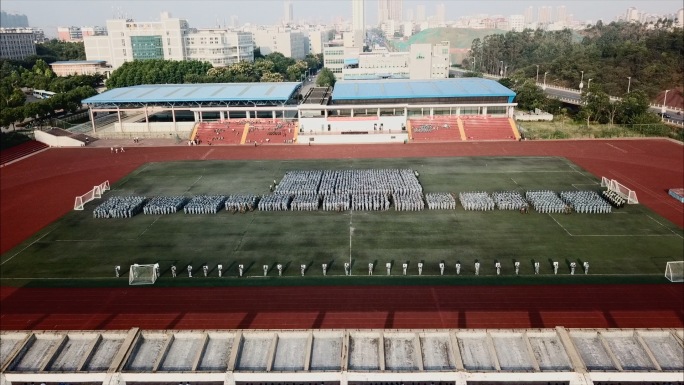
(66, 317)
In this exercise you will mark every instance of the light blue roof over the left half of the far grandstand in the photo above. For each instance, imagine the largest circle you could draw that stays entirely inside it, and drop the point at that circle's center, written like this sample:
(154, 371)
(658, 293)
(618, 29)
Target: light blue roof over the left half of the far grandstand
(214, 92)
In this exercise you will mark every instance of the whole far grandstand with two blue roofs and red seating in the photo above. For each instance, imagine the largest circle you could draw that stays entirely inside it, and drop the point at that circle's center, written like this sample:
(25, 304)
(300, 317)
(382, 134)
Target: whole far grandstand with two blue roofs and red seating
(351, 112)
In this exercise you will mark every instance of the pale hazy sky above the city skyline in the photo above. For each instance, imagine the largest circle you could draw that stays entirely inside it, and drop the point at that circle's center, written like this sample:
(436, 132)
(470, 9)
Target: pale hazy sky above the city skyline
(49, 14)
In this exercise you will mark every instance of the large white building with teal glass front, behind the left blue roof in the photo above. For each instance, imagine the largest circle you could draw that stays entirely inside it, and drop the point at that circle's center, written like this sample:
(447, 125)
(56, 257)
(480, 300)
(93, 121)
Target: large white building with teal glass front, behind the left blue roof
(170, 39)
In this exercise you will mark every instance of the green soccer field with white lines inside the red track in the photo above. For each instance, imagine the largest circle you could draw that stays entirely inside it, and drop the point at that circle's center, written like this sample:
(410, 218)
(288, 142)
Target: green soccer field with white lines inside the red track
(632, 241)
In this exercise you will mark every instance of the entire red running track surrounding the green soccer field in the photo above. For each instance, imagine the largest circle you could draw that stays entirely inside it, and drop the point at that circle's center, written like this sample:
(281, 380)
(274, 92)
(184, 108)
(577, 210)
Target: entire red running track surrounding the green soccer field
(38, 190)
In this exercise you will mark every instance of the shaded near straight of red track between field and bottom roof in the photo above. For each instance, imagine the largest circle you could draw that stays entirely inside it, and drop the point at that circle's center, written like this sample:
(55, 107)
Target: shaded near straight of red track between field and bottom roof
(583, 306)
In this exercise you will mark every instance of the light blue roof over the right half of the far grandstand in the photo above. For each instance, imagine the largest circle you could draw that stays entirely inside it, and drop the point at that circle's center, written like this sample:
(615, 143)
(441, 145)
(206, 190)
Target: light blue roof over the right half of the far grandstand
(416, 89)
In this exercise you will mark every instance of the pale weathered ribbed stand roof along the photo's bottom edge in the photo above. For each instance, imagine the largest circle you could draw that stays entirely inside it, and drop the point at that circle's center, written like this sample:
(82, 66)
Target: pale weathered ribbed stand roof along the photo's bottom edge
(345, 357)
